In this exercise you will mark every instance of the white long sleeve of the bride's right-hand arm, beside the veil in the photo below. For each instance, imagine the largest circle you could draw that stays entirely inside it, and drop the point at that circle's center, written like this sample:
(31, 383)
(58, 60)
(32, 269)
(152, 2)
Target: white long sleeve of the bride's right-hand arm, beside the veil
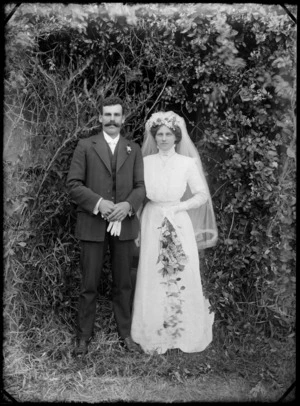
(197, 188)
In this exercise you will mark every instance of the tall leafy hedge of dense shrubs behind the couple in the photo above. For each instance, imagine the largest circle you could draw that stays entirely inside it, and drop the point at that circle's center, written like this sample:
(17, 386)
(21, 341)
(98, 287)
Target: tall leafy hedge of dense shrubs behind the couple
(230, 71)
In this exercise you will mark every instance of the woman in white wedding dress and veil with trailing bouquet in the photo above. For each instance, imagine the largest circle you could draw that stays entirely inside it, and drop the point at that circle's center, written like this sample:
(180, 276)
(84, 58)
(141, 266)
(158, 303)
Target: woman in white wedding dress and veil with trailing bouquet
(169, 309)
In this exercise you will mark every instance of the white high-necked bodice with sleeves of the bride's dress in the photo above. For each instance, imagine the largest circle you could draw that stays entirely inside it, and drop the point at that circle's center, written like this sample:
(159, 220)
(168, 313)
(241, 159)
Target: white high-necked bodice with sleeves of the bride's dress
(166, 179)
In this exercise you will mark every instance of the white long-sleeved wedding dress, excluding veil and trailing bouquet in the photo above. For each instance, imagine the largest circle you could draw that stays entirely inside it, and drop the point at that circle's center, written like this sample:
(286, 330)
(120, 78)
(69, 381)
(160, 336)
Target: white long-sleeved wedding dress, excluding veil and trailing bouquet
(160, 299)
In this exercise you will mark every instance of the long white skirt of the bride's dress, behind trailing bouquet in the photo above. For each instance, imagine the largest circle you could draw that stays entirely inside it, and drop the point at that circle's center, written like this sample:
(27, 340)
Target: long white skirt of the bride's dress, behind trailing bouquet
(169, 311)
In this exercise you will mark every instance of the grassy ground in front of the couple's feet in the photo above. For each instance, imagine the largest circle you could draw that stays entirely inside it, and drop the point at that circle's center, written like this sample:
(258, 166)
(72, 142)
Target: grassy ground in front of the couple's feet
(39, 366)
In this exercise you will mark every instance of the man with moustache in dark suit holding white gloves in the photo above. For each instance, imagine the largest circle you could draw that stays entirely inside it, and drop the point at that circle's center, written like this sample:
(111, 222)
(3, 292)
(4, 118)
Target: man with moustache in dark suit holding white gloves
(106, 181)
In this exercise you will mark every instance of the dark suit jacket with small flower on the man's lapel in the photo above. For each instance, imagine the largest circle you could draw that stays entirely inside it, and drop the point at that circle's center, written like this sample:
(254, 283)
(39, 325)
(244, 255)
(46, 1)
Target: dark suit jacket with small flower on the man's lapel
(90, 177)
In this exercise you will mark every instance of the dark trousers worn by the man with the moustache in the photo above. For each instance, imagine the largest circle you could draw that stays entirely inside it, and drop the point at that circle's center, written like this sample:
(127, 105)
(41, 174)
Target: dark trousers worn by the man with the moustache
(92, 256)
